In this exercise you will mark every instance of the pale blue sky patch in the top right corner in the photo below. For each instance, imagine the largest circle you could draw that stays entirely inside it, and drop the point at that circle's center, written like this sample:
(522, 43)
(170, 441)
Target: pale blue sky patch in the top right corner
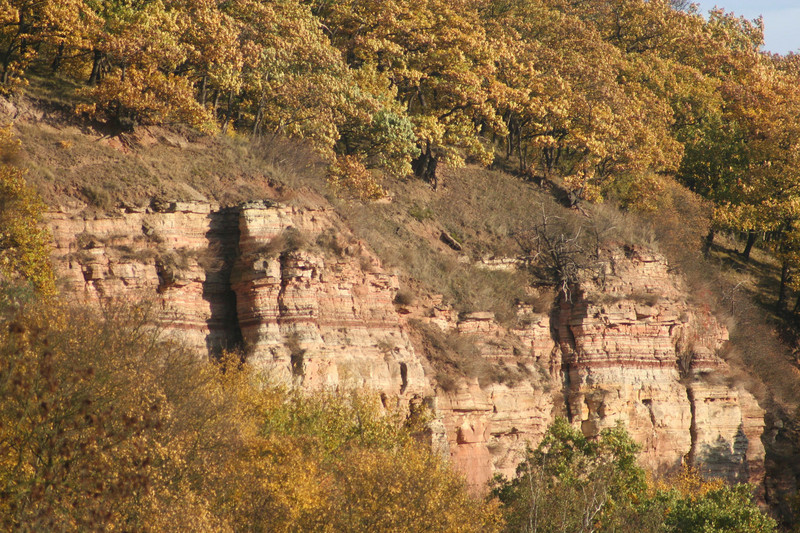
(781, 20)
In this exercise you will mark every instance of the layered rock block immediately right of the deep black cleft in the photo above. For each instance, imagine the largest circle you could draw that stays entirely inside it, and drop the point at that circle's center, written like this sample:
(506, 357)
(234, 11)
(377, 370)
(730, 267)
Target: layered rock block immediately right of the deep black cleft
(315, 307)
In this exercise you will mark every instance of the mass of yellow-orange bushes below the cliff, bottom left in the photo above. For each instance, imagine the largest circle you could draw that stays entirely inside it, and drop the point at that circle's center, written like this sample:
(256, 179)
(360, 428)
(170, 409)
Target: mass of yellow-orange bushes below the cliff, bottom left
(106, 424)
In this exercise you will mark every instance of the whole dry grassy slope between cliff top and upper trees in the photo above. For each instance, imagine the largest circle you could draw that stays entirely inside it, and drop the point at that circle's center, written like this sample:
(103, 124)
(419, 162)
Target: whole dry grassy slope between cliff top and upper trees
(490, 212)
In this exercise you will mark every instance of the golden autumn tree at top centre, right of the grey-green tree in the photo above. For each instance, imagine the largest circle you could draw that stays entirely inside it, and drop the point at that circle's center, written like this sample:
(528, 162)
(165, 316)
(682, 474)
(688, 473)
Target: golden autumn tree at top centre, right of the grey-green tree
(437, 57)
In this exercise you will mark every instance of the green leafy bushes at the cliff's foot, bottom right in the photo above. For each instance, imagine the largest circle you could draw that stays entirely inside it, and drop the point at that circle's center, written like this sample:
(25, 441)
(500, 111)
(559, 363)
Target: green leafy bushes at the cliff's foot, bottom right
(571, 483)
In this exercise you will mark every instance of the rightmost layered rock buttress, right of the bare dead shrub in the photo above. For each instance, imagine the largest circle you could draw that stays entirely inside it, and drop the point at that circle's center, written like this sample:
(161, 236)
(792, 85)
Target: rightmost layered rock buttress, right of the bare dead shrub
(635, 351)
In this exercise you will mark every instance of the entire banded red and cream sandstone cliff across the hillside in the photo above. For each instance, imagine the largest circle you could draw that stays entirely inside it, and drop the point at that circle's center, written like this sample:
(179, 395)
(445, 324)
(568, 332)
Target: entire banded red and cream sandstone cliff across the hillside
(313, 307)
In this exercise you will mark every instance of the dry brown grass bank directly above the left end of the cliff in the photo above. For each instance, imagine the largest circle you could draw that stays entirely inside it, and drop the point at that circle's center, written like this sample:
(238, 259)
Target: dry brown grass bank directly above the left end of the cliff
(105, 172)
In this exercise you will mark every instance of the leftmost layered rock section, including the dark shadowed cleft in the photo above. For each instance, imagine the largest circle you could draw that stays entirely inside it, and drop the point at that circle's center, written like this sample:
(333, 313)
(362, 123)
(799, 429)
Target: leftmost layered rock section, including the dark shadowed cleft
(176, 255)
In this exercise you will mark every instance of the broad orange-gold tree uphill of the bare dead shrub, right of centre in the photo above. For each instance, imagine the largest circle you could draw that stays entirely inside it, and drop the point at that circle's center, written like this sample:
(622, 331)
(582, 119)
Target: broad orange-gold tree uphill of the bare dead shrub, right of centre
(575, 100)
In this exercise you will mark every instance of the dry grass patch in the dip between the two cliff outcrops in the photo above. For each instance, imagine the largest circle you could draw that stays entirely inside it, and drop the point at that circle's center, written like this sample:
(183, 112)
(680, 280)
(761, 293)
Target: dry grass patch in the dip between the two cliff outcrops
(484, 210)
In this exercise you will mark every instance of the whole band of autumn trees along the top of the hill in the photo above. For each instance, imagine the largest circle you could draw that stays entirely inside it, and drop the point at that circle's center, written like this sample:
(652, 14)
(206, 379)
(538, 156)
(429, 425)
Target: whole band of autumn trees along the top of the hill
(612, 97)
